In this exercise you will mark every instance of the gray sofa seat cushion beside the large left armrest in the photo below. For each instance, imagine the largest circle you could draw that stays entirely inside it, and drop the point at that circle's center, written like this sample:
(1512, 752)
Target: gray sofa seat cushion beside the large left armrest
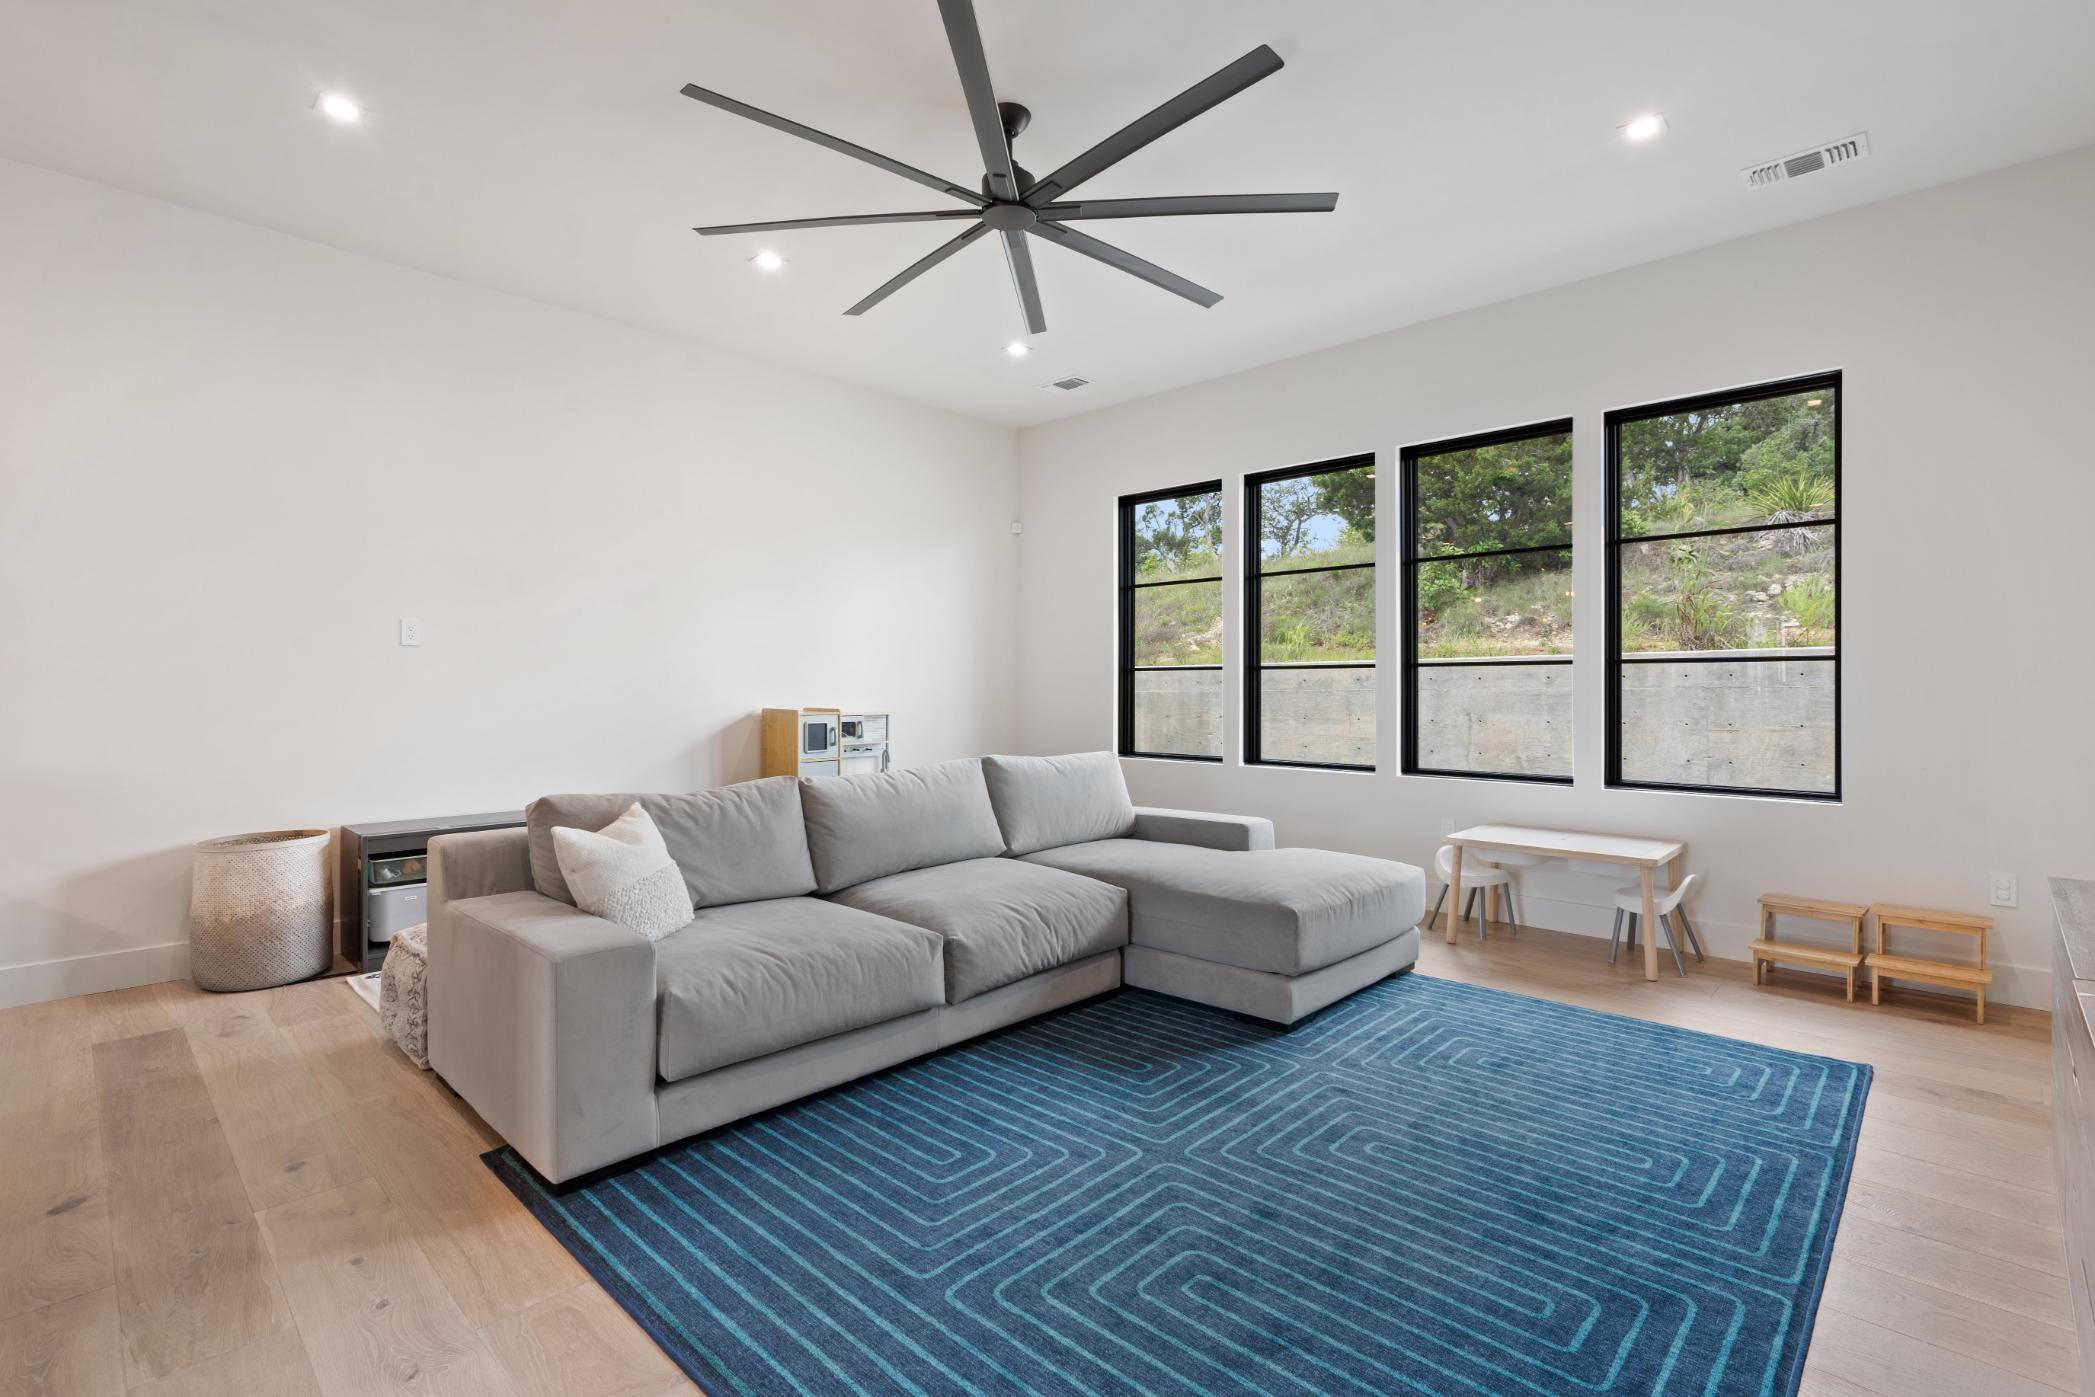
(762, 977)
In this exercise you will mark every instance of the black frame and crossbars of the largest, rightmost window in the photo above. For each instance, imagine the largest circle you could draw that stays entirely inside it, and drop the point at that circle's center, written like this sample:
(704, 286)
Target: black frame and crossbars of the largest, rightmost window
(1780, 389)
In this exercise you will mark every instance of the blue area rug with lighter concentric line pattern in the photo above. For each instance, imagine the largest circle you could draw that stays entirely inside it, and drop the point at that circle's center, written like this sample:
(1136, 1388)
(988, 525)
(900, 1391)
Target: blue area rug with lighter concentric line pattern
(1428, 1189)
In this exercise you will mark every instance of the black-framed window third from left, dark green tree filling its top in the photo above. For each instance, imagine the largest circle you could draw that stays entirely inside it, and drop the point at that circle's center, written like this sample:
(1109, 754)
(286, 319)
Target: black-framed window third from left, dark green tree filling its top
(1488, 606)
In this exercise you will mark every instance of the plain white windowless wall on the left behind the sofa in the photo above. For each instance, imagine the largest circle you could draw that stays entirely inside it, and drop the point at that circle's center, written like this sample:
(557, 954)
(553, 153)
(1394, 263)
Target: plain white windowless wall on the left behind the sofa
(231, 462)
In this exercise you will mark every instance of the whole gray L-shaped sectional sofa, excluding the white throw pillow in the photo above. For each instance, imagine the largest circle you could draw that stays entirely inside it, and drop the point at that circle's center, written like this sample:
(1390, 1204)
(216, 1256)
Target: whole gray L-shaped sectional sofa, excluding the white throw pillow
(847, 925)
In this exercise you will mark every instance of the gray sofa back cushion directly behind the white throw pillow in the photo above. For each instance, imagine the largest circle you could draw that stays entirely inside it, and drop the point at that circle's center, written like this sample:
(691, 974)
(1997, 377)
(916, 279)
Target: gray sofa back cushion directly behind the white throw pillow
(734, 845)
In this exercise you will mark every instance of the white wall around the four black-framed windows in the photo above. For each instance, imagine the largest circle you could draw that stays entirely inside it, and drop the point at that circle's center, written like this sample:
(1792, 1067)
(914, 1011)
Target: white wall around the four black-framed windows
(1964, 319)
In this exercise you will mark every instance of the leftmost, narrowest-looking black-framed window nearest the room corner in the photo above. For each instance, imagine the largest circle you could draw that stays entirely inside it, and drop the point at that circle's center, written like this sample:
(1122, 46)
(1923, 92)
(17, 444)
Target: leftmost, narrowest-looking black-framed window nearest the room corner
(1172, 623)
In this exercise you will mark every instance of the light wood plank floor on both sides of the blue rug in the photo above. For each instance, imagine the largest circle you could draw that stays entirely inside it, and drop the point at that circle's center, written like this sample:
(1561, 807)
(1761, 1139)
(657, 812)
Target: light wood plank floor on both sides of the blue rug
(238, 1195)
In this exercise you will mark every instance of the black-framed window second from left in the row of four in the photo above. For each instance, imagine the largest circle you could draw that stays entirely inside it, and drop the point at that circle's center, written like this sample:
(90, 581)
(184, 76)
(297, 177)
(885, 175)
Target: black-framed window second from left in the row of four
(1310, 598)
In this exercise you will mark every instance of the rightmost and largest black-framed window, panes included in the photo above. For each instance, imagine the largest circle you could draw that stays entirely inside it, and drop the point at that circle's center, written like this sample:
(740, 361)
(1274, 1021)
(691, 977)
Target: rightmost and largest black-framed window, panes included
(1723, 592)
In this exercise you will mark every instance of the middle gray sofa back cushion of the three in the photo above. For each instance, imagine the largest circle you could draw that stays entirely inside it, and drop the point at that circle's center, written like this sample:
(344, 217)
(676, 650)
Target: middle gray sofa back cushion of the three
(864, 828)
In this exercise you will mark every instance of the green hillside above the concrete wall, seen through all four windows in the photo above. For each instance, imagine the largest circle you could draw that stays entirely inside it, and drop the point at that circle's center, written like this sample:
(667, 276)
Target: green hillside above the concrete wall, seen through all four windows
(1495, 529)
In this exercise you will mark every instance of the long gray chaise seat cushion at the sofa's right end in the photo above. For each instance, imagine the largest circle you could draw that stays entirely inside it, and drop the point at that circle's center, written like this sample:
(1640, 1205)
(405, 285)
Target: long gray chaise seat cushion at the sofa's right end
(1279, 910)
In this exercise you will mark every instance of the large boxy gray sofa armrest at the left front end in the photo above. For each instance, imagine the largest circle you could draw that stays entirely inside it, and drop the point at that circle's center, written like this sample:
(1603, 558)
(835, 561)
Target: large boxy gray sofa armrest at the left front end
(544, 1019)
